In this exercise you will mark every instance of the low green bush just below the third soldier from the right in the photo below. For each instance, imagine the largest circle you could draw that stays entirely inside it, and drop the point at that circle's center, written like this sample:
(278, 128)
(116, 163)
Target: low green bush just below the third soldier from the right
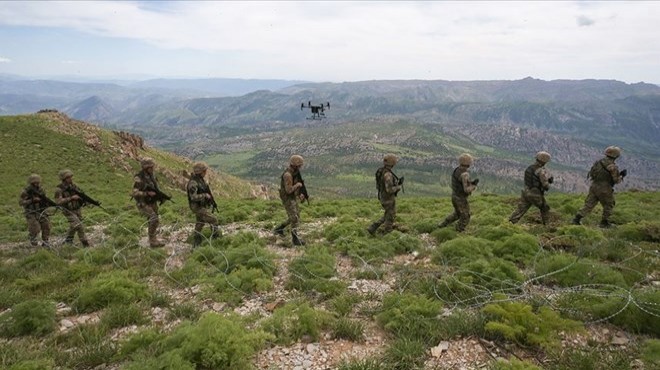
(465, 249)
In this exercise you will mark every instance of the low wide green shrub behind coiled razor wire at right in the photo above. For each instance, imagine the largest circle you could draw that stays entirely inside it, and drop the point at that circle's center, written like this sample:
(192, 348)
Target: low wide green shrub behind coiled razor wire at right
(567, 270)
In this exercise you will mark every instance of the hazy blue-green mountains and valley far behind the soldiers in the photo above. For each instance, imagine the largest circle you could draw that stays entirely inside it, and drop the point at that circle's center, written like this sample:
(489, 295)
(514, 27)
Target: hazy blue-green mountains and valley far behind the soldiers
(426, 122)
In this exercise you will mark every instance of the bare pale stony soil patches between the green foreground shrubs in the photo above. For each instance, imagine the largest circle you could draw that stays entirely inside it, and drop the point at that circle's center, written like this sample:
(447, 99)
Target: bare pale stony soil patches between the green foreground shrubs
(327, 353)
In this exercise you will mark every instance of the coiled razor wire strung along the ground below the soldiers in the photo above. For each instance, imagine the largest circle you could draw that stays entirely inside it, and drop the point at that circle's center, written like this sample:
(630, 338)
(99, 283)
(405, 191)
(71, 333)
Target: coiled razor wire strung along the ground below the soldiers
(482, 294)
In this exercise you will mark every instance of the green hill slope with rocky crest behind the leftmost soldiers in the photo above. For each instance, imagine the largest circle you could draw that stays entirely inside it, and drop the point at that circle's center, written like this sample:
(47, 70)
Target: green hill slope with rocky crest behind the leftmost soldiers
(46, 143)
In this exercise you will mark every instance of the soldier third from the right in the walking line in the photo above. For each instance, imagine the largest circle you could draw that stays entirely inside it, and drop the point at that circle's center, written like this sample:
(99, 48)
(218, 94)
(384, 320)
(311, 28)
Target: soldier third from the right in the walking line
(461, 188)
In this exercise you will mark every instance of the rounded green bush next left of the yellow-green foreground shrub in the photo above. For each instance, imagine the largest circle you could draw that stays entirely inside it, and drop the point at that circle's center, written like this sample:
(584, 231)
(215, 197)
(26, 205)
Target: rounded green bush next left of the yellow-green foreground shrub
(410, 316)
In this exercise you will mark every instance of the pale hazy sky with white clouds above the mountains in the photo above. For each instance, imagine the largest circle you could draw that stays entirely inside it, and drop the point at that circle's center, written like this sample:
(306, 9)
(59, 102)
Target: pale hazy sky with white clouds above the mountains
(333, 41)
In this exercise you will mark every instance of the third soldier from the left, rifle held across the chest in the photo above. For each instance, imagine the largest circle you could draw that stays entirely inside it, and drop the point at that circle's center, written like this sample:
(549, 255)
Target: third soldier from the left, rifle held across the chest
(144, 193)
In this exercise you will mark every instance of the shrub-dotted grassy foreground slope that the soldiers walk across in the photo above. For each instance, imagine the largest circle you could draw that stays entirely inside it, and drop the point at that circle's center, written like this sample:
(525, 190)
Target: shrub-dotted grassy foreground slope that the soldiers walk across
(553, 297)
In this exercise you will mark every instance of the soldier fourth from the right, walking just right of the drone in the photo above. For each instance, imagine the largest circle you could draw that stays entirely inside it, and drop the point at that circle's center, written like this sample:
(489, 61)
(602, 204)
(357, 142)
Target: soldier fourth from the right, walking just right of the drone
(388, 185)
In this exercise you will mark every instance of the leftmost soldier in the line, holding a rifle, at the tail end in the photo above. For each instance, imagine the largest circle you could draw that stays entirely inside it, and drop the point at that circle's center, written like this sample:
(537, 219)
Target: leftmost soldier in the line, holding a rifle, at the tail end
(34, 203)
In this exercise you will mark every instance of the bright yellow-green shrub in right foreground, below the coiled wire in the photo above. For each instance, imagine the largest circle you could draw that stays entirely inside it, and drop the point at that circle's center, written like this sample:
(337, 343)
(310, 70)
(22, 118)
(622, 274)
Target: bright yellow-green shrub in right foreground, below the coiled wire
(517, 322)
